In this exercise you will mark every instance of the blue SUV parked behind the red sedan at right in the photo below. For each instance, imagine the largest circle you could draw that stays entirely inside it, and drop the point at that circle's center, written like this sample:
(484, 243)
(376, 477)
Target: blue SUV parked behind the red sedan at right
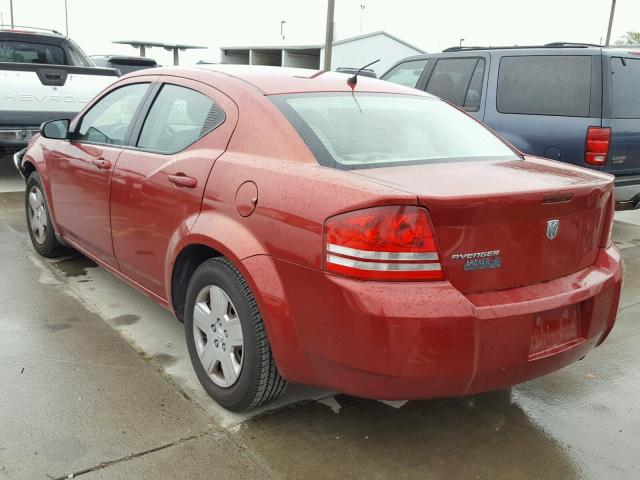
(575, 103)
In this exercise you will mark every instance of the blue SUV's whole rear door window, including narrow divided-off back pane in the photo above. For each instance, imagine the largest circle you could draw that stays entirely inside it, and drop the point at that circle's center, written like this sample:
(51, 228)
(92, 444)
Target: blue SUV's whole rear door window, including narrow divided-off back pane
(459, 81)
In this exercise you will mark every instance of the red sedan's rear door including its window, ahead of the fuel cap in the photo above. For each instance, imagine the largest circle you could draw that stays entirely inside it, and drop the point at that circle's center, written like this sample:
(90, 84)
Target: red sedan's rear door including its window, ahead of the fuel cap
(158, 183)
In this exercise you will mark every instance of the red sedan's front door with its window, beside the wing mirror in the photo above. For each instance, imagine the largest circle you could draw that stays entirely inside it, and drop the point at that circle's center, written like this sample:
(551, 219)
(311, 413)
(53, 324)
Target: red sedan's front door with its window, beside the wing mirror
(81, 169)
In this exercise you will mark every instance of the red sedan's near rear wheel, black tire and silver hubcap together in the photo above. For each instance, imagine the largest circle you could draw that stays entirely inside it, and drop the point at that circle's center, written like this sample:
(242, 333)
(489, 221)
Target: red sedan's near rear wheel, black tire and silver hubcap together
(226, 338)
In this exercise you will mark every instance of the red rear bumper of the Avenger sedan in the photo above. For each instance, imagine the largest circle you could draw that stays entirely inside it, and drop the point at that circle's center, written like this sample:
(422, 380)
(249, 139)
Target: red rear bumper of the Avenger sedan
(422, 340)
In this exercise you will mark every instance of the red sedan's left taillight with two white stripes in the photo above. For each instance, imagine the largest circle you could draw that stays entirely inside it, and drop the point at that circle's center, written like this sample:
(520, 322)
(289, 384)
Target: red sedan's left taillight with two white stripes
(382, 243)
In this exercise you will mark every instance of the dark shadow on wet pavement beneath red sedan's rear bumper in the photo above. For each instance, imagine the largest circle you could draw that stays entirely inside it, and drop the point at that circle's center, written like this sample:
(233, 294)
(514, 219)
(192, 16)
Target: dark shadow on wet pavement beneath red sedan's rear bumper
(480, 436)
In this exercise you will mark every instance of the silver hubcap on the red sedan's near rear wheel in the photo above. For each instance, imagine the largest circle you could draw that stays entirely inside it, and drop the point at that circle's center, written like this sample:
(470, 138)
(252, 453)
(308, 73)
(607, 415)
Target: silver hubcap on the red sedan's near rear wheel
(218, 336)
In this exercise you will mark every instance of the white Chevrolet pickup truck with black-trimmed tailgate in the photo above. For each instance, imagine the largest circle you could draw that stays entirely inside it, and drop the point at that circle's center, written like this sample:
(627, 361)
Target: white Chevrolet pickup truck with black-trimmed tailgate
(44, 76)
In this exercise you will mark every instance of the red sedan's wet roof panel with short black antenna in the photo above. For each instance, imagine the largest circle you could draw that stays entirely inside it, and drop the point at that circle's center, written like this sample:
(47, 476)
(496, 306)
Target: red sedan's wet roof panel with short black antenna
(280, 80)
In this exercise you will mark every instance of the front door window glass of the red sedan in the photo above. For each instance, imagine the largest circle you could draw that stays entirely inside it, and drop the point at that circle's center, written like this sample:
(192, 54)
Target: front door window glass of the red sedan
(108, 120)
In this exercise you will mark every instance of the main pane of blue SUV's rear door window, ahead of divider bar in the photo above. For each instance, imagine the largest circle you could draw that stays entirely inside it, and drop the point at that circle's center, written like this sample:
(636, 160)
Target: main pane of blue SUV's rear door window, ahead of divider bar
(450, 79)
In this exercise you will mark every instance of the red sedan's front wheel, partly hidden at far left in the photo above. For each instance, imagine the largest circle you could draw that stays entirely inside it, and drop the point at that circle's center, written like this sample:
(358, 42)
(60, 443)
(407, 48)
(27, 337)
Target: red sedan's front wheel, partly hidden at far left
(41, 231)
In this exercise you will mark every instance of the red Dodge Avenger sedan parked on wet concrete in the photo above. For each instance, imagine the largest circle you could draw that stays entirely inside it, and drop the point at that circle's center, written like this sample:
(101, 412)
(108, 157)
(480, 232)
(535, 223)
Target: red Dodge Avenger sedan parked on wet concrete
(363, 237)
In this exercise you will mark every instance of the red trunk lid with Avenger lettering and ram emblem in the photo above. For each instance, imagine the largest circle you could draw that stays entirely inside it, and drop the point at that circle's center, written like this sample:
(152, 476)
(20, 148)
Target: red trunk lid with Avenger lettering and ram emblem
(507, 224)
